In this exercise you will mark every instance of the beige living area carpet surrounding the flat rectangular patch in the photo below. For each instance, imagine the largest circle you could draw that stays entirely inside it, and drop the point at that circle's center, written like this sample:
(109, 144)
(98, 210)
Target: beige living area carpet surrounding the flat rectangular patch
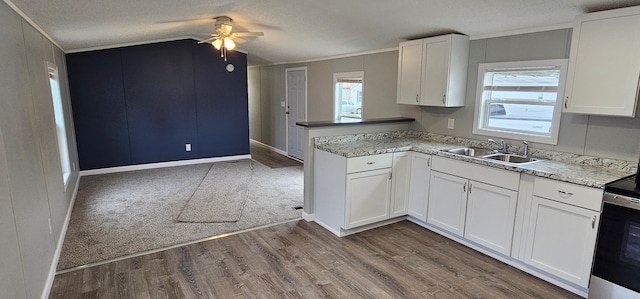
(130, 212)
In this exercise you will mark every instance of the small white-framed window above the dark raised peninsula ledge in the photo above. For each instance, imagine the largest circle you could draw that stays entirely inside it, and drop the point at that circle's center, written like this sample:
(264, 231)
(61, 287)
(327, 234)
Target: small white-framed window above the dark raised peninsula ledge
(348, 96)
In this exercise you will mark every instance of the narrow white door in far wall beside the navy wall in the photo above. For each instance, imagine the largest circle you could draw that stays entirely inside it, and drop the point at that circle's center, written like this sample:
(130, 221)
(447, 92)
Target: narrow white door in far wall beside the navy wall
(296, 110)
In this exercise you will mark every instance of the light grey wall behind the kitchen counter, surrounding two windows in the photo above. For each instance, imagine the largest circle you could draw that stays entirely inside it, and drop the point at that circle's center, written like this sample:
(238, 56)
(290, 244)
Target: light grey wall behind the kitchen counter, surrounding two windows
(610, 137)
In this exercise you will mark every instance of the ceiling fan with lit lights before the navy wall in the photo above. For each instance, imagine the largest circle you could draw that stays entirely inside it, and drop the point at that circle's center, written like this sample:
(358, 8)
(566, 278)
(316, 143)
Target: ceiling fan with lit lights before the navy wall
(223, 39)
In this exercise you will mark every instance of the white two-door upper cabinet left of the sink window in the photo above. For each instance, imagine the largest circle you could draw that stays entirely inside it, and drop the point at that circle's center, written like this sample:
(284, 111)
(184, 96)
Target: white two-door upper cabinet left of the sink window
(433, 71)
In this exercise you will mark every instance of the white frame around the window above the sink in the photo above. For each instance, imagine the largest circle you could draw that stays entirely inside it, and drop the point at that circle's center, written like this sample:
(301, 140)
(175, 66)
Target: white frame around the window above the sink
(552, 138)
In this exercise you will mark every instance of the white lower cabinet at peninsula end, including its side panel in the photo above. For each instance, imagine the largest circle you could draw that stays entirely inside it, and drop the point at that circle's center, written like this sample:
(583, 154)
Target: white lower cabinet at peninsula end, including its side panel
(354, 192)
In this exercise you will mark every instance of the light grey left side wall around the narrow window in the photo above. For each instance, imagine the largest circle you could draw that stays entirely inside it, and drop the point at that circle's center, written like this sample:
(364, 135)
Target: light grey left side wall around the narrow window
(31, 191)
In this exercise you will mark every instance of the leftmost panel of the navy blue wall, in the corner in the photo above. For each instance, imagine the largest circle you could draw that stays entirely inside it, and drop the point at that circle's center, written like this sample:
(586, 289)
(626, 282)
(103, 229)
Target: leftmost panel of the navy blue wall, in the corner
(99, 109)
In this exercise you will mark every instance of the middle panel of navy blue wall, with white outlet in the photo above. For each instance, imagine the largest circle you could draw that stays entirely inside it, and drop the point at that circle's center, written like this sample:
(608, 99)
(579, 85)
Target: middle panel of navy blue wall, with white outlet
(161, 107)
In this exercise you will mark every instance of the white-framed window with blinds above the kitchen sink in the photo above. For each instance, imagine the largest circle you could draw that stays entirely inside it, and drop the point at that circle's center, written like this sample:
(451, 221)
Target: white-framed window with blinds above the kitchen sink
(520, 100)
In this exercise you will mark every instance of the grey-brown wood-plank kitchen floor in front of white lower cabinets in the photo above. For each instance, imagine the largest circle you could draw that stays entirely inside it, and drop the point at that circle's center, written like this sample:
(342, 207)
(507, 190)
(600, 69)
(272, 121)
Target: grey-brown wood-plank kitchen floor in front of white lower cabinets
(302, 260)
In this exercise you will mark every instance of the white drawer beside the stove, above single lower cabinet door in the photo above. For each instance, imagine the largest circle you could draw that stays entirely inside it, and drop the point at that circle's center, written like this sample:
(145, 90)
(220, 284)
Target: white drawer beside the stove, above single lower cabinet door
(576, 195)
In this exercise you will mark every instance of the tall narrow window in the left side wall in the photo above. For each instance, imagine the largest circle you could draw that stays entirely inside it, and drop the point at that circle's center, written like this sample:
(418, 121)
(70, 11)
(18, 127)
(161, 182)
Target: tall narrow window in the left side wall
(58, 111)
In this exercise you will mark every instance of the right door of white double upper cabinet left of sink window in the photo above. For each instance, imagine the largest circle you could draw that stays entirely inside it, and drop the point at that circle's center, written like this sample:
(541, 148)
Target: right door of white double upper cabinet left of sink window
(434, 73)
